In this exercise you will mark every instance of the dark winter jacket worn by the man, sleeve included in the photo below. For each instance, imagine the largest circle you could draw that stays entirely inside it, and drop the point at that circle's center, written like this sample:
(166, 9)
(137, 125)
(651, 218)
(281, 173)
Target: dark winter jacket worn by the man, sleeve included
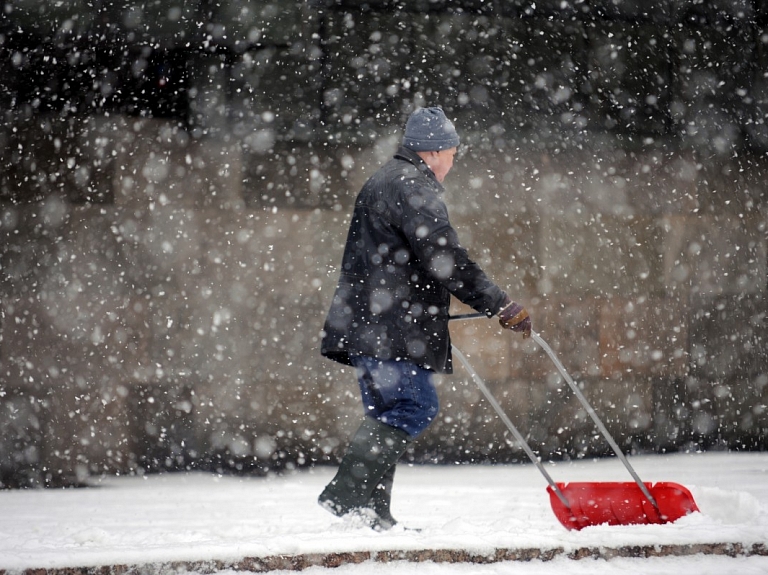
(401, 262)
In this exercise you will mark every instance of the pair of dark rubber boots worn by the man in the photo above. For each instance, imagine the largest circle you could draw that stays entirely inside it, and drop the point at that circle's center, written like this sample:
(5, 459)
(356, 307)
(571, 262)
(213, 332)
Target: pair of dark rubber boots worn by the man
(374, 450)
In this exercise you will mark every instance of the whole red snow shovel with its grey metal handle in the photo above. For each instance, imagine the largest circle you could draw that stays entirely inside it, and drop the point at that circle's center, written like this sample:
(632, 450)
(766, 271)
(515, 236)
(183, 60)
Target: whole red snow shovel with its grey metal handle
(582, 504)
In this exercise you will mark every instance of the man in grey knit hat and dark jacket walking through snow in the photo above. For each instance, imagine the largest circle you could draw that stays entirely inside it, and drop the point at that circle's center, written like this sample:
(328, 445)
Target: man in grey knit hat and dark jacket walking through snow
(389, 315)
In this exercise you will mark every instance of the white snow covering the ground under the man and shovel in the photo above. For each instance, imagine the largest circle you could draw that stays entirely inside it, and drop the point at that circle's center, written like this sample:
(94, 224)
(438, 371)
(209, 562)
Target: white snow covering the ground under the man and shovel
(197, 517)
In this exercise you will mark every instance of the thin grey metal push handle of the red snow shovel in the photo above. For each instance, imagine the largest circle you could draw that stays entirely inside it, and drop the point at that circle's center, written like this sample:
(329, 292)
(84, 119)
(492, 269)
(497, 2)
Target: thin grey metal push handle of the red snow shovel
(580, 396)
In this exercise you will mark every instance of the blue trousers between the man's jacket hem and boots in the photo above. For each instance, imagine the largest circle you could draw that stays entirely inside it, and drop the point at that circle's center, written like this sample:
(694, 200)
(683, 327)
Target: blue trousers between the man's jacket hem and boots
(398, 393)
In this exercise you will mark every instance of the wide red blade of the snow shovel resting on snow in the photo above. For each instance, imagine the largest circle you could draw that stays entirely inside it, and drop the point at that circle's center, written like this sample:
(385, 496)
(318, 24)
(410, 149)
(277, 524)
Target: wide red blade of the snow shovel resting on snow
(617, 503)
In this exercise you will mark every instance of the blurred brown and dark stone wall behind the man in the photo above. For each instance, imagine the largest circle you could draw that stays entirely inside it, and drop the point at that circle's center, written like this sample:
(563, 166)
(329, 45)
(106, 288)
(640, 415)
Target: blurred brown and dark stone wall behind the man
(175, 185)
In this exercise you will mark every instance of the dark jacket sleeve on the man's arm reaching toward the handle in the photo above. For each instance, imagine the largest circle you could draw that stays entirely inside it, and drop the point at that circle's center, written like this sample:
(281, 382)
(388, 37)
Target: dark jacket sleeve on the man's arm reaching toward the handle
(436, 244)
